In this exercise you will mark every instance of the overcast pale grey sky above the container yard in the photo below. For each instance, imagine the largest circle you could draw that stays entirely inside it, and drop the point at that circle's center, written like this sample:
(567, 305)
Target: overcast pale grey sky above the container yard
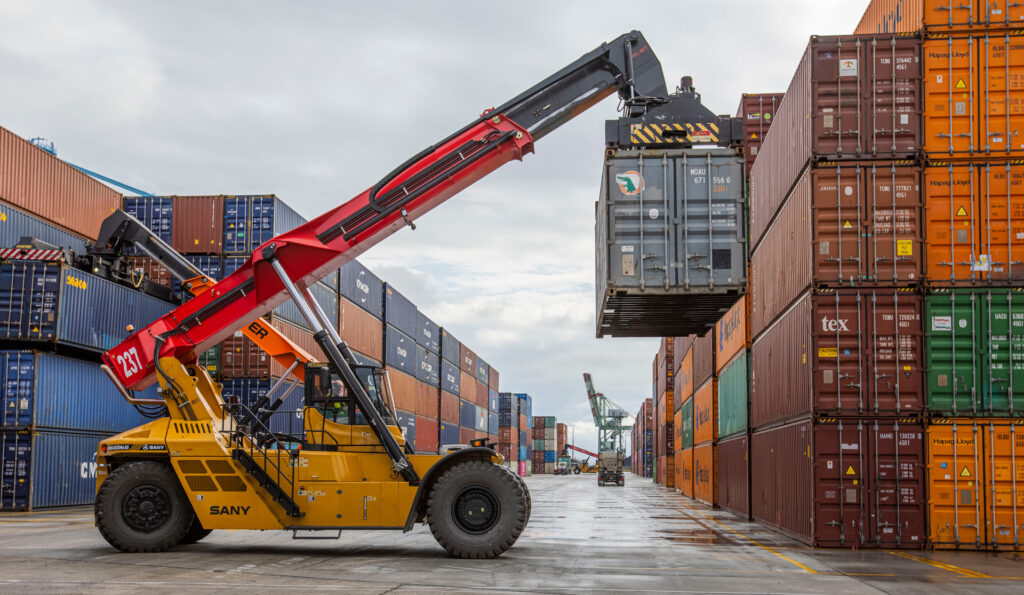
(315, 102)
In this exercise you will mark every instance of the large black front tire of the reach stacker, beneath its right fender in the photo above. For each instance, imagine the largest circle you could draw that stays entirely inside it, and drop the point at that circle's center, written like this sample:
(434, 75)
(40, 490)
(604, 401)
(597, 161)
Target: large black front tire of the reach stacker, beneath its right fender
(478, 509)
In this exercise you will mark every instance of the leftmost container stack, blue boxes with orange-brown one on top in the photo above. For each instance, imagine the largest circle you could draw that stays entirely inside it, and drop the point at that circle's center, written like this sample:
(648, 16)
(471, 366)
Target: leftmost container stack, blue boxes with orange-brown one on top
(56, 320)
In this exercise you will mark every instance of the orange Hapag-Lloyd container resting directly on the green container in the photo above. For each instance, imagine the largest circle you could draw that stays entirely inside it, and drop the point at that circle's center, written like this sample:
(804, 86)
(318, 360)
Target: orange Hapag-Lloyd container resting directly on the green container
(975, 218)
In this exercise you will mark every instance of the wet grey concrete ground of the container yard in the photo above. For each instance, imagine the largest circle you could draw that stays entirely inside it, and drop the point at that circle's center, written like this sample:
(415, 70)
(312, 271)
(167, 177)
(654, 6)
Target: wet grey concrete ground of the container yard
(581, 539)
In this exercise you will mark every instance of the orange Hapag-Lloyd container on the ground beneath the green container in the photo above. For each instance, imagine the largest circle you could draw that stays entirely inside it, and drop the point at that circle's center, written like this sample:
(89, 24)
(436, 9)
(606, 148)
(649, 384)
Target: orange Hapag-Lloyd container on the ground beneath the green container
(975, 472)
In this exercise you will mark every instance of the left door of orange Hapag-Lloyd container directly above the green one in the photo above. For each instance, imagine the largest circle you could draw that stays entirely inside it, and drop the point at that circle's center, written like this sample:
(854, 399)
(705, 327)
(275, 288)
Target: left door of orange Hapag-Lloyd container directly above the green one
(952, 219)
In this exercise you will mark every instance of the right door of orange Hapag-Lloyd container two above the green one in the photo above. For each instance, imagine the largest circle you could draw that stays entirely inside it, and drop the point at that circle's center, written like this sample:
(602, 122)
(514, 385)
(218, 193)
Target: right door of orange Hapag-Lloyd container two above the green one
(1001, 127)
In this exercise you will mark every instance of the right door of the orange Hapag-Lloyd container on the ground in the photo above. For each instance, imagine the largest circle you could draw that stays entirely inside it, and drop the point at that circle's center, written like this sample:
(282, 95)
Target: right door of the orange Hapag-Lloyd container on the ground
(1004, 483)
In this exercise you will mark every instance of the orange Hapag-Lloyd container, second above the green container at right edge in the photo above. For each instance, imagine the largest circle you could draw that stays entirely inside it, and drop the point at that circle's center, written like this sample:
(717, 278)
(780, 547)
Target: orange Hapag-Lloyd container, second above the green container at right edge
(973, 95)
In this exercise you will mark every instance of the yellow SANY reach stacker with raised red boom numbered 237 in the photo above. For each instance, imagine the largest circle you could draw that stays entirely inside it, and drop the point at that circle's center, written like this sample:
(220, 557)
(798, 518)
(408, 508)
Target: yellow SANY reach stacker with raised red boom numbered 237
(206, 464)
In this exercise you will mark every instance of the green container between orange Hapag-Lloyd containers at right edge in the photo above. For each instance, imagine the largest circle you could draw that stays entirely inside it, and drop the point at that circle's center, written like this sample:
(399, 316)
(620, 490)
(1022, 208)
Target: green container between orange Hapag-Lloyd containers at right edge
(975, 352)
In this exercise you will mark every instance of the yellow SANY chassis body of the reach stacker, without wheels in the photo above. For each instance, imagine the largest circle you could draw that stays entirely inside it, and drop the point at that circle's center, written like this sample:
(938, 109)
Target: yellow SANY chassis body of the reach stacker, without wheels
(351, 486)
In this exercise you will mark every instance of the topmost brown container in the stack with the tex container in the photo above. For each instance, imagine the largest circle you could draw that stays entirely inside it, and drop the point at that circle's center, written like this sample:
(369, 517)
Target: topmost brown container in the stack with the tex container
(851, 98)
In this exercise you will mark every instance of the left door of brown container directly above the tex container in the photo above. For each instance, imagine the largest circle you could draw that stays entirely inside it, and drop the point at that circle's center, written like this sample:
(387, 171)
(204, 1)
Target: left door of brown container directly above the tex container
(841, 222)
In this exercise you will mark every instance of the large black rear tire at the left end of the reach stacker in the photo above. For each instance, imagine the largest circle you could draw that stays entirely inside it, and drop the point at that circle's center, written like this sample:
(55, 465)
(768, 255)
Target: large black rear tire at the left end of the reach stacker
(143, 508)
